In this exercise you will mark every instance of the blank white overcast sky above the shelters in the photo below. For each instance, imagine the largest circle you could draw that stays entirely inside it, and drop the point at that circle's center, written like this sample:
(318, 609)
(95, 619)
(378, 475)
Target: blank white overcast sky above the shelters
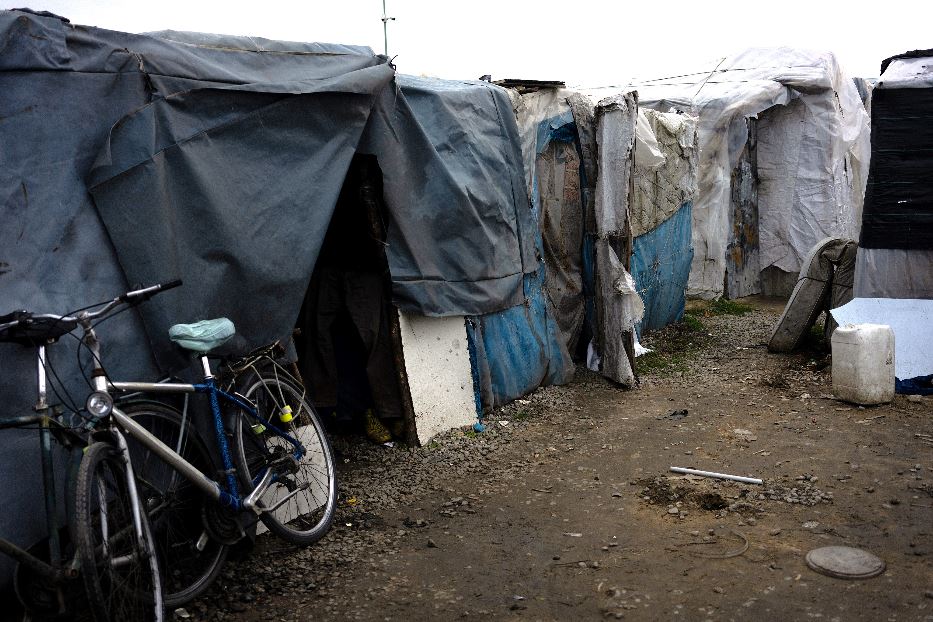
(579, 41)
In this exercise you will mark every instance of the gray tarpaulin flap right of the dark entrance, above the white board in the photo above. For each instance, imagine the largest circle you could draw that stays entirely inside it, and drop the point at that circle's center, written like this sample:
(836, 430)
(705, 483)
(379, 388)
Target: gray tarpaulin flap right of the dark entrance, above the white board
(452, 168)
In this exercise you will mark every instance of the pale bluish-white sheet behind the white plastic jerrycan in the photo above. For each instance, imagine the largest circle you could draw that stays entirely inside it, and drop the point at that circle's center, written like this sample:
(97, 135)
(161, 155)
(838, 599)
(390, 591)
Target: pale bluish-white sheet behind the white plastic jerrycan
(910, 319)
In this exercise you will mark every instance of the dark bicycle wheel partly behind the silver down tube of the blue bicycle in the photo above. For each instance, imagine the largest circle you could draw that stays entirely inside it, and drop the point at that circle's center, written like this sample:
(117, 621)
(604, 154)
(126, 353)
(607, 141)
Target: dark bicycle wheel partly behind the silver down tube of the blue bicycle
(190, 561)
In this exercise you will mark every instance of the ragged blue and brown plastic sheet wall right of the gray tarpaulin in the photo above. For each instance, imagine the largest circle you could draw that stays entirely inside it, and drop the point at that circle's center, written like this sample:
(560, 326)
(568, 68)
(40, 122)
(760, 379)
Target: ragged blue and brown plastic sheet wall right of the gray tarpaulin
(526, 346)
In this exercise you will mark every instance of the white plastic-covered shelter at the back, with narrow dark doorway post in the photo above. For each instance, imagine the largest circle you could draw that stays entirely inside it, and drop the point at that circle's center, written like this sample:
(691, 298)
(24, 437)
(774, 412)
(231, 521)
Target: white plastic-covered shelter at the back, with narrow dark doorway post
(783, 159)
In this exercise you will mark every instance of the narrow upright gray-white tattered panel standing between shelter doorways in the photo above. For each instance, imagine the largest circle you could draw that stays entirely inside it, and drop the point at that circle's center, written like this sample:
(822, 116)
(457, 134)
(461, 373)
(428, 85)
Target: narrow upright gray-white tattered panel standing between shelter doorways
(618, 306)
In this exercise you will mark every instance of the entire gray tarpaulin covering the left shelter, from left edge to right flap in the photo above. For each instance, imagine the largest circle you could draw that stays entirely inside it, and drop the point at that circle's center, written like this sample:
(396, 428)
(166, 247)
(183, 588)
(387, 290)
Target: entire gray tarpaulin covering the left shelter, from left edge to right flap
(219, 160)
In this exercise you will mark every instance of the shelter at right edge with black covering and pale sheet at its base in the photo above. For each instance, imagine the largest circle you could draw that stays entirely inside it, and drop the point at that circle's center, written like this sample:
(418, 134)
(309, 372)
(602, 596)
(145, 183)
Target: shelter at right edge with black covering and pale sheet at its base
(894, 267)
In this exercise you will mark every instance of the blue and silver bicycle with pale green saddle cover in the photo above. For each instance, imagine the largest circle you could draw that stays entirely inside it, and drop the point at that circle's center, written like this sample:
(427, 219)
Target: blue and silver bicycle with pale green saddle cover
(277, 450)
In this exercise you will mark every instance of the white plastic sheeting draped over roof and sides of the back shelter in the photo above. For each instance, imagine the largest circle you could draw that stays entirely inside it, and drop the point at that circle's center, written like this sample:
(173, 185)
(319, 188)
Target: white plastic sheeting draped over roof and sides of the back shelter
(723, 95)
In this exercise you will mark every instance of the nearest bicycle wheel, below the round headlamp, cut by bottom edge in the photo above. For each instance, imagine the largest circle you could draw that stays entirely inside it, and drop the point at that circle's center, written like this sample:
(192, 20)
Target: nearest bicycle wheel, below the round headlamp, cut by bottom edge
(120, 570)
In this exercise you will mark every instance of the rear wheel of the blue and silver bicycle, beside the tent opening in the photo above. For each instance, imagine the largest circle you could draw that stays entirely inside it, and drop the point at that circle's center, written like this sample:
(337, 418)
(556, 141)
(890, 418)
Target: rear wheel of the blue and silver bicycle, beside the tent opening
(307, 516)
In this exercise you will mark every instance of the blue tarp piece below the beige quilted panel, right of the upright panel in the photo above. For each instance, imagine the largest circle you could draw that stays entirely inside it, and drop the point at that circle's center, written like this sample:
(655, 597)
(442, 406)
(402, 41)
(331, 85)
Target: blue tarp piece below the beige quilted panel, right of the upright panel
(661, 266)
